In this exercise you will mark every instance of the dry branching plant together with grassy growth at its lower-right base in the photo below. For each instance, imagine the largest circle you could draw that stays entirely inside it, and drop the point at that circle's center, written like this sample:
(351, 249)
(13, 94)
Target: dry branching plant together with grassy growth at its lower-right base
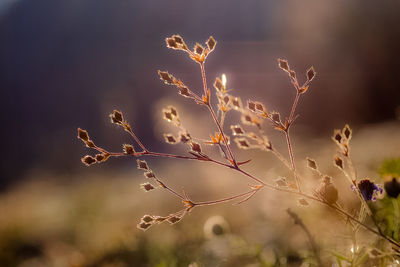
(250, 133)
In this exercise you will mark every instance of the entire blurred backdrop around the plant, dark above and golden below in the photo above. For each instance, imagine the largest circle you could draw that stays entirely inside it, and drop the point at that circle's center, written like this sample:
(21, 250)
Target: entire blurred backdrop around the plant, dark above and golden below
(68, 64)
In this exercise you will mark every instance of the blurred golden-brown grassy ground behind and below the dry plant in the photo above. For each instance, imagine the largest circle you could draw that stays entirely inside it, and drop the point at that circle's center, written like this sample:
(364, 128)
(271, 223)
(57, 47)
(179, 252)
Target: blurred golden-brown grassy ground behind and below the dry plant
(92, 221)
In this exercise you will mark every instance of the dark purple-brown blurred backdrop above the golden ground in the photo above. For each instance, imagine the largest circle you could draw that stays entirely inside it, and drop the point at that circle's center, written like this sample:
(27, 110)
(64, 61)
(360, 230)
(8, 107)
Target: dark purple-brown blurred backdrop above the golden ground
(67, 64)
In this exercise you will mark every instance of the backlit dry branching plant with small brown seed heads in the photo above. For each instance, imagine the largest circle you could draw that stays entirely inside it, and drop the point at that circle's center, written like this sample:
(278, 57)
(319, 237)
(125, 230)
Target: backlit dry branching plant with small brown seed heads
(252, 115)
